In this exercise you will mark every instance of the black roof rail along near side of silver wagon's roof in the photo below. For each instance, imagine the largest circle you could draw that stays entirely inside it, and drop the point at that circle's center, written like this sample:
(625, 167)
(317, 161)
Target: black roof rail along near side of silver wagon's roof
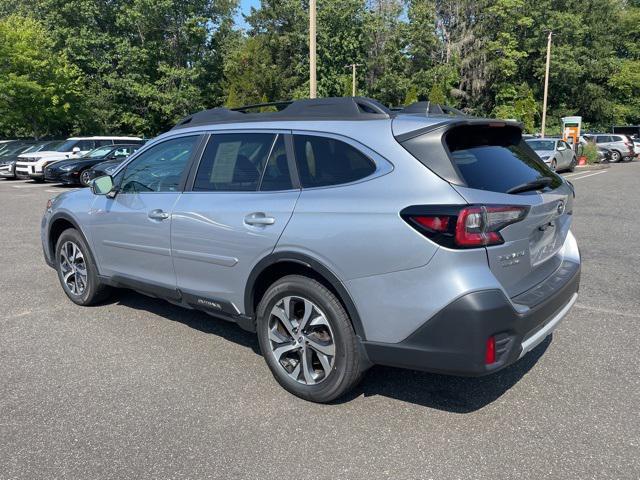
(332, 108)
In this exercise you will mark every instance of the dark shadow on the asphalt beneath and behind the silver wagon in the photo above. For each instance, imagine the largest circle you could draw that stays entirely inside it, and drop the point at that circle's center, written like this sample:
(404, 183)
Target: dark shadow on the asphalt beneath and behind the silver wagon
(442, 392)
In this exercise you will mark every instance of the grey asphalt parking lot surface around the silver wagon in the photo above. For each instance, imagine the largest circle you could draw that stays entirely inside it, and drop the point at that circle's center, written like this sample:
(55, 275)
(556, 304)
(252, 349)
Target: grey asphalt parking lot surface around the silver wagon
(138, 388)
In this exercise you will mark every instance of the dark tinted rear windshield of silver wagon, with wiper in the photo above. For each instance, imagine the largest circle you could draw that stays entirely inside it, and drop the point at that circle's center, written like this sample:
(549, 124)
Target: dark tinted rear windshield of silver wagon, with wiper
(495, 158)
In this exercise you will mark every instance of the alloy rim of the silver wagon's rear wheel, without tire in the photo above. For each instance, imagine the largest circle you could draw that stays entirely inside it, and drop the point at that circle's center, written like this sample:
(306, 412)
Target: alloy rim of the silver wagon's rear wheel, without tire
(301, 340)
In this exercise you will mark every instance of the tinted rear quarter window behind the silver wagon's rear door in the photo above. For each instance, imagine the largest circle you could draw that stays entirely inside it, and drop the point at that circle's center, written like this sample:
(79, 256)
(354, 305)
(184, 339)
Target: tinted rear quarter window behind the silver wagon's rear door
(326, 161)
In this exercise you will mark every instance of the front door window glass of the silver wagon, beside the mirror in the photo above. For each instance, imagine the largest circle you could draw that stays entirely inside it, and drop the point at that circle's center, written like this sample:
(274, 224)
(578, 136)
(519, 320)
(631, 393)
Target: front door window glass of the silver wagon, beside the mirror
(160, 168)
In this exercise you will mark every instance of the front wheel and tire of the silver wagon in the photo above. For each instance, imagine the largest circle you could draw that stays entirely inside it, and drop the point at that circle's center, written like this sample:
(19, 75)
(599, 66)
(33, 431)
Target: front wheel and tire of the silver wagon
(70, 264)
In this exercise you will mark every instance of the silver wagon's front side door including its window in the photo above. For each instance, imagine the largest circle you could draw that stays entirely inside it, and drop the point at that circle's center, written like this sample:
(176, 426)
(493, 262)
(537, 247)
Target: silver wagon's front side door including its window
(132, 231)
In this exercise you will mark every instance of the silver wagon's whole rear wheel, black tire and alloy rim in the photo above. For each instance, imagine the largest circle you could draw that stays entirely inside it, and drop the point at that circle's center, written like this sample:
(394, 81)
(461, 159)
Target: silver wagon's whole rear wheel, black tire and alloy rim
(327, 327)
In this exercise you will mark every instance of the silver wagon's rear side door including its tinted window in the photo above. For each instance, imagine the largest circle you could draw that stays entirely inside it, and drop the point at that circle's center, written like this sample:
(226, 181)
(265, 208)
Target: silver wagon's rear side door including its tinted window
(242, 195)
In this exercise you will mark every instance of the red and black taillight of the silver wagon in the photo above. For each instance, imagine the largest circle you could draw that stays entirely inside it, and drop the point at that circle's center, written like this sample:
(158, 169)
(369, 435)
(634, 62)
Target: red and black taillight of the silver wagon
(466, 227)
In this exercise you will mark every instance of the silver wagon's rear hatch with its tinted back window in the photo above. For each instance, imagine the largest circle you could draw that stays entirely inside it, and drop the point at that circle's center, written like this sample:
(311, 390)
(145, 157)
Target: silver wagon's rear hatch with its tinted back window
(495, 168)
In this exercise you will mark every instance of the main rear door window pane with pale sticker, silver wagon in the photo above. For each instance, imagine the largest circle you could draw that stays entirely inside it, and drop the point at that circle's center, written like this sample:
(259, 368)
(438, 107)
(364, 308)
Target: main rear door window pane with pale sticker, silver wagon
(234, 162)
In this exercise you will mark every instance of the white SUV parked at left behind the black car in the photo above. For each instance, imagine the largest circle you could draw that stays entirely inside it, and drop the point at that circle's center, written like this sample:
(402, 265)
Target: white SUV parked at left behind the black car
(31, 165)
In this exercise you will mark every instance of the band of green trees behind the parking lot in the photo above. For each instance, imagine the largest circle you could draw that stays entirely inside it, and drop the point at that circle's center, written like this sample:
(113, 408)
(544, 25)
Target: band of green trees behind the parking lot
(137, 66)
